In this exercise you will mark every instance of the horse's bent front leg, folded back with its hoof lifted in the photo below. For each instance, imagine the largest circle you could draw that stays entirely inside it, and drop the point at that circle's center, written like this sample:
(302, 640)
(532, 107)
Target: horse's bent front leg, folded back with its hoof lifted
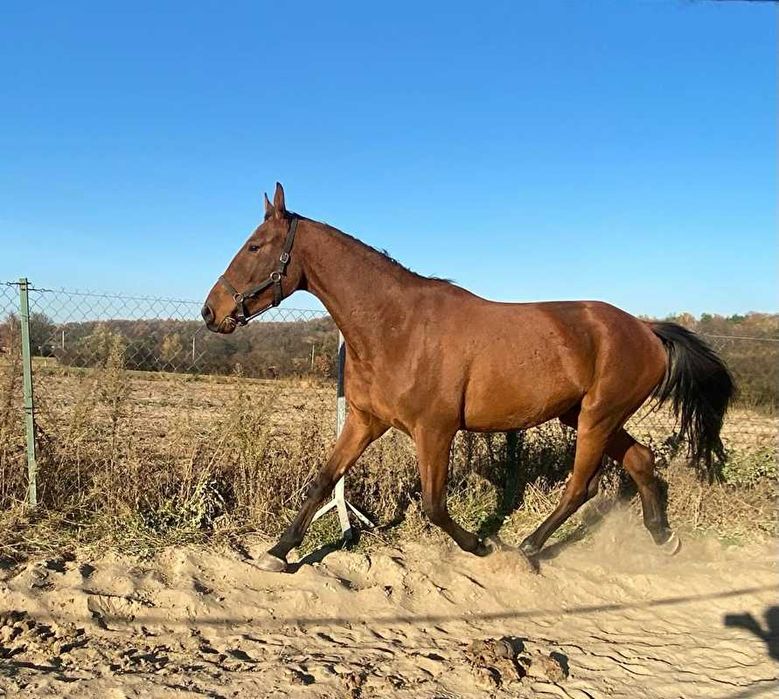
(433, 456)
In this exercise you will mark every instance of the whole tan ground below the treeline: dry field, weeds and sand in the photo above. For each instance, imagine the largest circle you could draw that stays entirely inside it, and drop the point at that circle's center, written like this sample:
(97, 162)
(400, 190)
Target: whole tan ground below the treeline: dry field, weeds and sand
(135, 577)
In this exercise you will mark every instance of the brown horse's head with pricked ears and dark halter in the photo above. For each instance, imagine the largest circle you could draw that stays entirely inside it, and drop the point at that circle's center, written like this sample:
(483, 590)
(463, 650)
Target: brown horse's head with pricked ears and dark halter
(260, 275)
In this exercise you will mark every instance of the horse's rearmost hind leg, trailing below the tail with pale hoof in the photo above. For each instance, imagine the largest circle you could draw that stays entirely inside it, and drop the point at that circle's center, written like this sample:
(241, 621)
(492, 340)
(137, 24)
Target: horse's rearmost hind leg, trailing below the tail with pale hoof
(639, 462)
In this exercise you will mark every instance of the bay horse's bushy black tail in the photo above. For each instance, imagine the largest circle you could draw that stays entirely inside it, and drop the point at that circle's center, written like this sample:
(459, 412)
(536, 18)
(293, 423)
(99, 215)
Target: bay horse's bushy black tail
(700, 387)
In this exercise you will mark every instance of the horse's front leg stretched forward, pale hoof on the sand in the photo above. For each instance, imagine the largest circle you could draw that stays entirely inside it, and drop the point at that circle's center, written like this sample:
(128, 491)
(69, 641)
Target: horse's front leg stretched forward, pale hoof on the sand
(358, 432)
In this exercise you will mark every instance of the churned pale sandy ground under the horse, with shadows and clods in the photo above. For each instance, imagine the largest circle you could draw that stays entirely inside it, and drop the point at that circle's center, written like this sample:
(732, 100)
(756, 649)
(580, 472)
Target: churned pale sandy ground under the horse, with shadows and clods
(605, 617)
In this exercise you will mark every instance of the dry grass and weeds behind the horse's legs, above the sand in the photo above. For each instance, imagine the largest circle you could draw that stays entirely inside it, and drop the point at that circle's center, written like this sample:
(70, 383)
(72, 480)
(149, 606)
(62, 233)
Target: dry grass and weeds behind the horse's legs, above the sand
(139, 461)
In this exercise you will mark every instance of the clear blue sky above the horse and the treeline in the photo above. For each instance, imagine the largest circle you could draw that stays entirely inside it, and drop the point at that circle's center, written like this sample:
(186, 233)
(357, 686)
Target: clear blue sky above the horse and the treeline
(621, 150)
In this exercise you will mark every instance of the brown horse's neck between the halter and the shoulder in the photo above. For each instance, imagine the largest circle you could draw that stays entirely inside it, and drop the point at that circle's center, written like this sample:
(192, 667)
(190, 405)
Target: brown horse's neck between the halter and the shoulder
(365, 293)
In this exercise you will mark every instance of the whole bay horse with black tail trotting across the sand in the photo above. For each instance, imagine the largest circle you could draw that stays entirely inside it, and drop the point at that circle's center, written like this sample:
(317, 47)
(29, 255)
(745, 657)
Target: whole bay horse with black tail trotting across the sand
(430, 358)
